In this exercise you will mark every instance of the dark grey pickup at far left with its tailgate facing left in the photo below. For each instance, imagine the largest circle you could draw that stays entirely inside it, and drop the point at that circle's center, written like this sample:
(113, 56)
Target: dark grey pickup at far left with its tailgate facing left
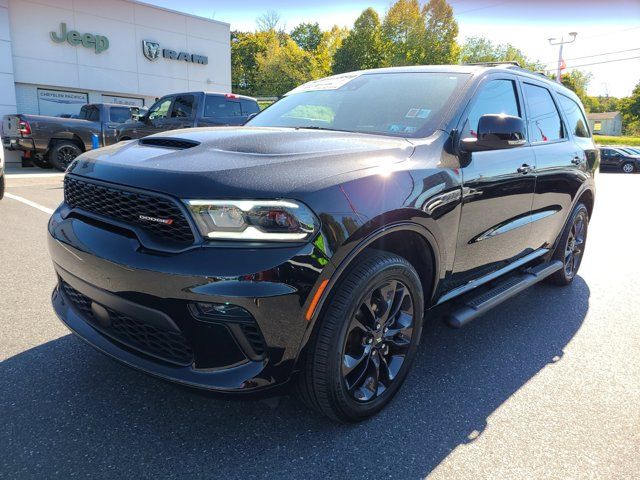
(56, 141)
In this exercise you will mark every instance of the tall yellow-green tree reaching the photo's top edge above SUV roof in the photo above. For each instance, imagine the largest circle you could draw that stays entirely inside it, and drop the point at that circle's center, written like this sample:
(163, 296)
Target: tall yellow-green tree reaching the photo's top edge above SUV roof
(440, 46)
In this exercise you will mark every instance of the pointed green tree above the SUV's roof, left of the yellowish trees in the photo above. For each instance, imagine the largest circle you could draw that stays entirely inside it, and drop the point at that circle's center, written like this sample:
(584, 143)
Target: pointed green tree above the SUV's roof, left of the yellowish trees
(363, 48)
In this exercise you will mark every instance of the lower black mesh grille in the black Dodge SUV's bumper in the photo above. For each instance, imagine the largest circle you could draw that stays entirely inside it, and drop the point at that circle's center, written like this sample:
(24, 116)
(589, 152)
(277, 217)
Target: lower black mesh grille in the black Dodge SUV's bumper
(164, 344)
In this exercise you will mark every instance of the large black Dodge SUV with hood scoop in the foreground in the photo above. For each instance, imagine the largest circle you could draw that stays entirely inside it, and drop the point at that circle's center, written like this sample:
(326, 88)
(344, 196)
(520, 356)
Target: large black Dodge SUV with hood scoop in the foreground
(307, 248)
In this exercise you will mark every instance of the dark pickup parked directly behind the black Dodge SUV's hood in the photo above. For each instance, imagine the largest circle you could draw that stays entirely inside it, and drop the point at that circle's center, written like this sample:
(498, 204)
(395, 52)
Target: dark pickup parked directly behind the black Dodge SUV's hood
(192, 109)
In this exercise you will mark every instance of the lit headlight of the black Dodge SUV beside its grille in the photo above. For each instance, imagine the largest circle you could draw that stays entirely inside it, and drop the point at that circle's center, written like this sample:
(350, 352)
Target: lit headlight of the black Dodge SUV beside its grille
(253, 220)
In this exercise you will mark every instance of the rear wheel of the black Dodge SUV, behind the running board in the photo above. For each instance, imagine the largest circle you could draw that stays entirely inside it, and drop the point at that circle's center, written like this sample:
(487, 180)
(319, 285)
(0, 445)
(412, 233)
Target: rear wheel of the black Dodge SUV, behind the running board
(570, 248)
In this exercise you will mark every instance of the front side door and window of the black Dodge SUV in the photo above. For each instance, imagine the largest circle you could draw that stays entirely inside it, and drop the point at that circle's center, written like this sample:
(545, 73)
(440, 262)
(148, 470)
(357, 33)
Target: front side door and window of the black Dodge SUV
(497, 190)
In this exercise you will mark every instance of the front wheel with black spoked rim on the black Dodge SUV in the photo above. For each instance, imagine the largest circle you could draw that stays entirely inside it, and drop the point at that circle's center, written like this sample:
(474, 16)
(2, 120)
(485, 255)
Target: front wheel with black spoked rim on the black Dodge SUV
(332, 380)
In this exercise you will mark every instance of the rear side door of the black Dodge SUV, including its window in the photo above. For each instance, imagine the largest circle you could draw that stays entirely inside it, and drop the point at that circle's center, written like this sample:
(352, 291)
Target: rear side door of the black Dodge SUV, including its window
(560, 161)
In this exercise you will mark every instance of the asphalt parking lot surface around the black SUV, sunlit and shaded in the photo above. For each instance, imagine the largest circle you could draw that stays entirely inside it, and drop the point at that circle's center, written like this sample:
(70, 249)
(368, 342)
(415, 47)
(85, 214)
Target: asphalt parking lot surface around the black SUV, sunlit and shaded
(545, 386)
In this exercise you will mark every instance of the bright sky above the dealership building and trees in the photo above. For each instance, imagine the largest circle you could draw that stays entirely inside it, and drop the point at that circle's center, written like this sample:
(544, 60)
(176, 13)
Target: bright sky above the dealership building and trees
(607, 27)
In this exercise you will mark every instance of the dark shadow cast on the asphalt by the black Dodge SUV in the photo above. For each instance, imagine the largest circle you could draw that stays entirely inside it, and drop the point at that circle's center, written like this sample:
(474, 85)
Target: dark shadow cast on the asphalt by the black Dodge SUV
(68, 410)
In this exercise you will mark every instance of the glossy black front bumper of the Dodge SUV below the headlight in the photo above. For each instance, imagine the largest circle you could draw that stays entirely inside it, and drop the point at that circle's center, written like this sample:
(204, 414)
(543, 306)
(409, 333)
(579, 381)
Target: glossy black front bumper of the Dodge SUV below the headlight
(136, 305)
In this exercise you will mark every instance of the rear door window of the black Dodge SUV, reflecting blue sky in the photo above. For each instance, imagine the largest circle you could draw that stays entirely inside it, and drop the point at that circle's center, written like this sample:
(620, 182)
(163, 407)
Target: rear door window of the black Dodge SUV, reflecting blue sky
(544, 120)
